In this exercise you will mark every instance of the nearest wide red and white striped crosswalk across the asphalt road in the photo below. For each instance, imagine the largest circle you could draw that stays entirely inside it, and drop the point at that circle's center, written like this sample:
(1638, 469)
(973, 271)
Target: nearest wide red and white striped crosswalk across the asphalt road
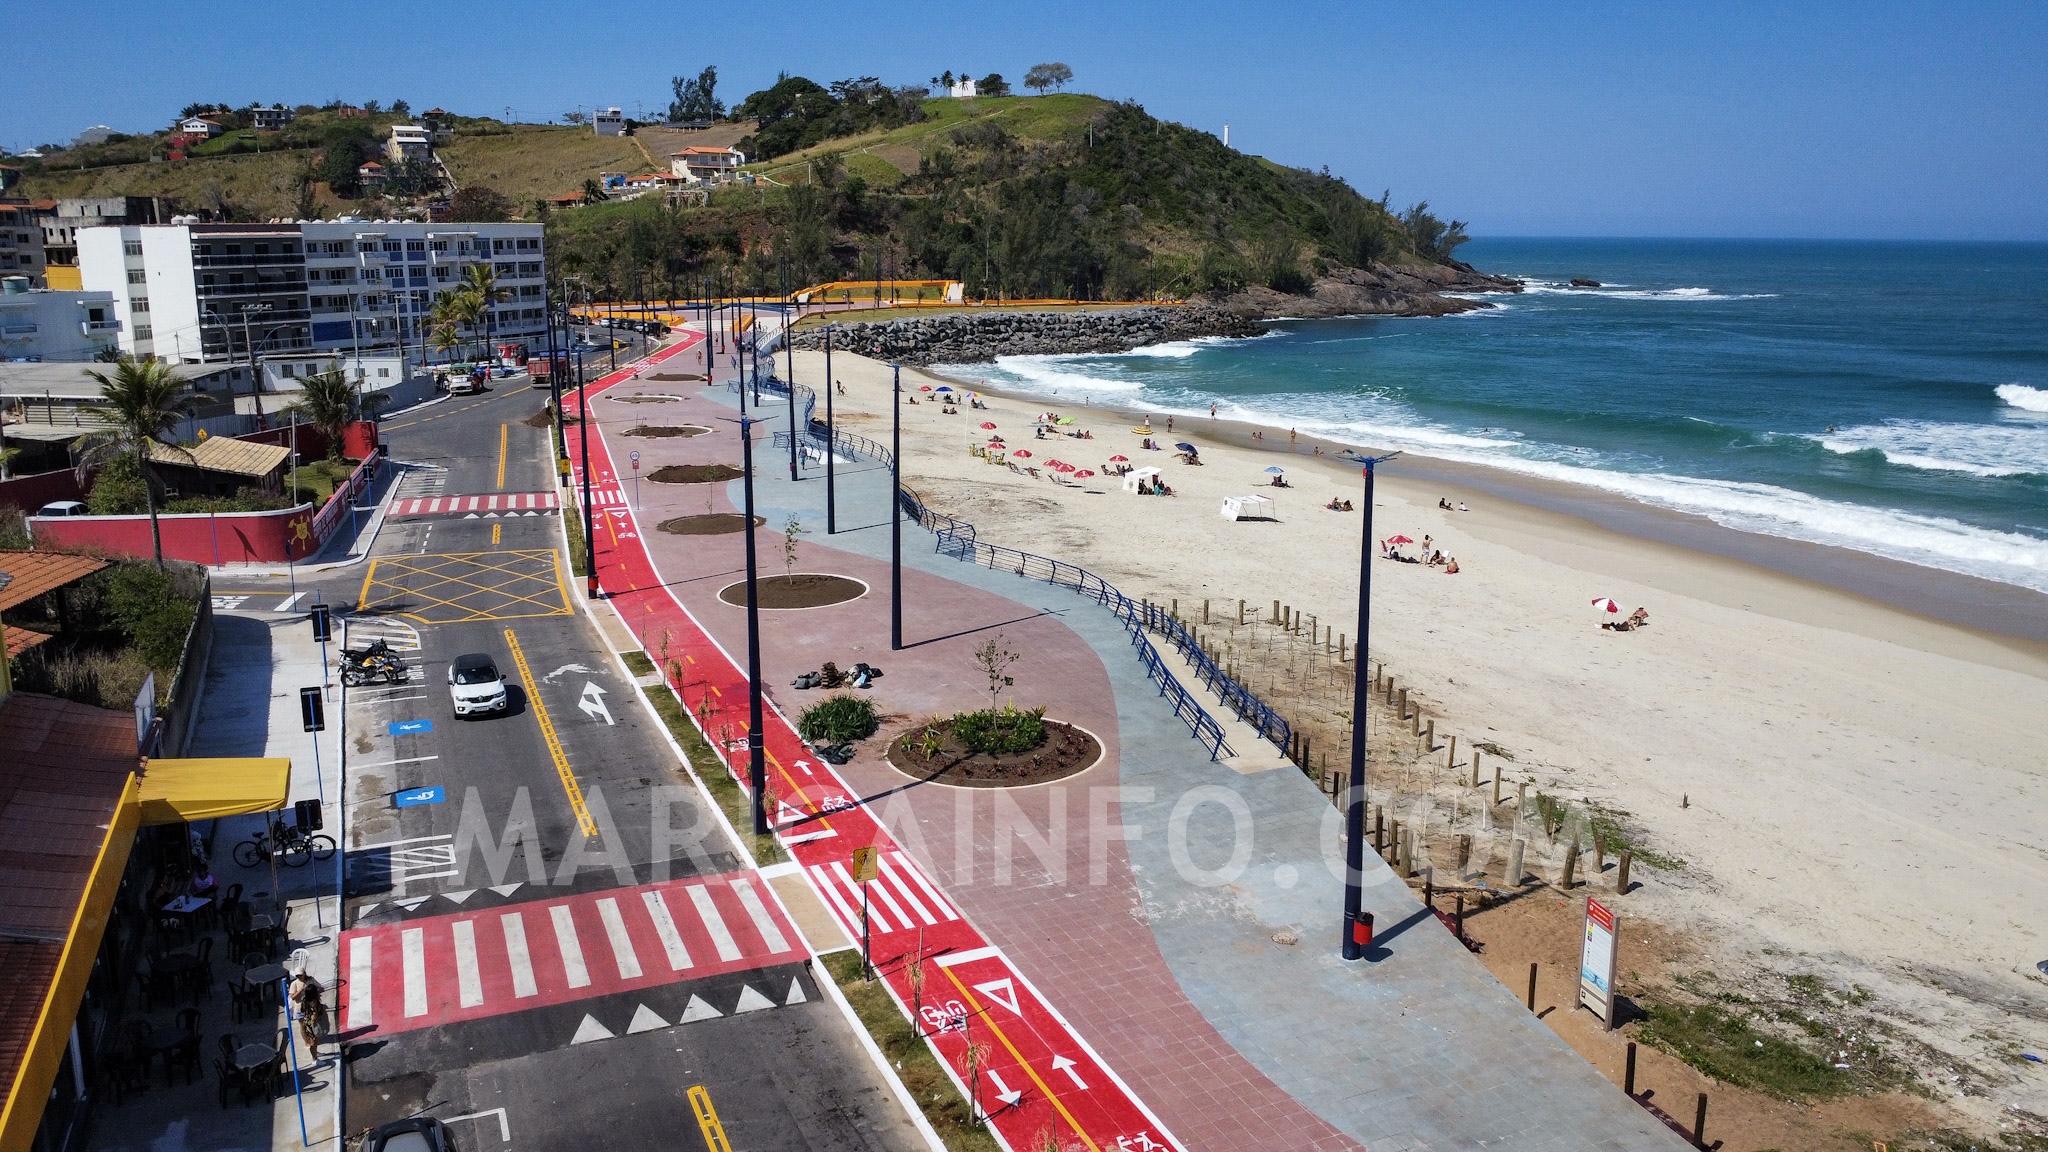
(548, 952)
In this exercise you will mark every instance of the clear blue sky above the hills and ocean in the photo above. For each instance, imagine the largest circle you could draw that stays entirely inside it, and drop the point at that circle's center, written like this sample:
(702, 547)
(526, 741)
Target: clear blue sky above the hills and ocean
(1527, 120)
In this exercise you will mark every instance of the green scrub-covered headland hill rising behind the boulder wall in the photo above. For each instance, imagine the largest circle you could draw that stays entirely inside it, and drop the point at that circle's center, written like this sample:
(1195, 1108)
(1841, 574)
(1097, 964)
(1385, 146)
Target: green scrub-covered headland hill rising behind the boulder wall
(1058, 196)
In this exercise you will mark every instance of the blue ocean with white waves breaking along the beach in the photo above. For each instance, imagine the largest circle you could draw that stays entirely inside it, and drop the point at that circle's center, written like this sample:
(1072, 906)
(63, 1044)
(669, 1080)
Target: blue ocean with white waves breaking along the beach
(1889, 399)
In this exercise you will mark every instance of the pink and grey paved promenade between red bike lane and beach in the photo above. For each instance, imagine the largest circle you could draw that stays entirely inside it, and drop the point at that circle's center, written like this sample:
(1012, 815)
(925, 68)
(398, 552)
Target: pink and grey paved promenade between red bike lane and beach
(1170, 944)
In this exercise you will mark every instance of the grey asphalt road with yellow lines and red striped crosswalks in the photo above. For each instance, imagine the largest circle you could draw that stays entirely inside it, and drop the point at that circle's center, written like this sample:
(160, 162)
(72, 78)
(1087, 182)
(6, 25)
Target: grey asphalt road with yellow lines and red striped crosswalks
(560, 930)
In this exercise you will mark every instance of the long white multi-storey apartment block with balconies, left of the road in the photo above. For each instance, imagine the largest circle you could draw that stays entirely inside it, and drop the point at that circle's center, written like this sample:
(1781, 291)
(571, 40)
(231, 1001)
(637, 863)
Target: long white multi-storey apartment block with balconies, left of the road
(218, 292)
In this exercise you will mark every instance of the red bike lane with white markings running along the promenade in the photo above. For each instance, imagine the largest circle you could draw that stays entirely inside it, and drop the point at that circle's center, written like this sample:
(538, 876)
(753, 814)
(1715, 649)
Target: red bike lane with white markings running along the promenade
(1035, 1075)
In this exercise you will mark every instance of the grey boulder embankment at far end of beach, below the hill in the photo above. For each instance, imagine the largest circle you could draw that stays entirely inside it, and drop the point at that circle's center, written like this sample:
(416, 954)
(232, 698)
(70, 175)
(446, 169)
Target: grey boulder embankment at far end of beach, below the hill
(976, 337)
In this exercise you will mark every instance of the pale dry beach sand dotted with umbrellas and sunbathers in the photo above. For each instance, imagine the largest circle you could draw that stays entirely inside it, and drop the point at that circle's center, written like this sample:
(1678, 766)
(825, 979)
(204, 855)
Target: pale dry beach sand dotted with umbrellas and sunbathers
(1857, 792)
